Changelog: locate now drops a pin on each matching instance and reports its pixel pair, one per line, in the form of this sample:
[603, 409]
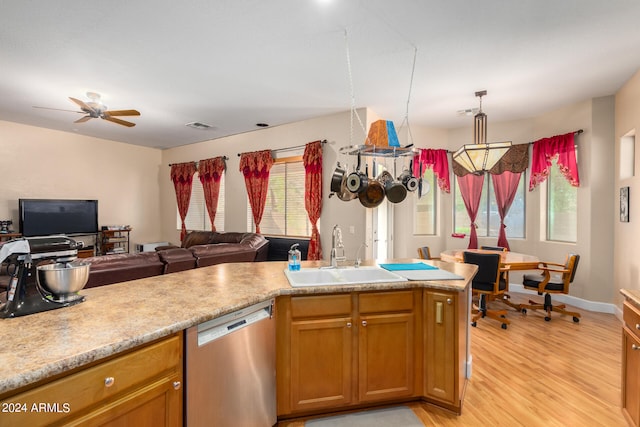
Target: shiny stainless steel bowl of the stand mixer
[63, 278]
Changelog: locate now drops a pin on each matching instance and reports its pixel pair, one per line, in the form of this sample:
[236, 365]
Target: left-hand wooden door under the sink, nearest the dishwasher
[321, 360]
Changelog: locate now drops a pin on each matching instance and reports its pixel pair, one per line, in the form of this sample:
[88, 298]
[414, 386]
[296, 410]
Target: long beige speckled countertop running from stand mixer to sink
[121, 316]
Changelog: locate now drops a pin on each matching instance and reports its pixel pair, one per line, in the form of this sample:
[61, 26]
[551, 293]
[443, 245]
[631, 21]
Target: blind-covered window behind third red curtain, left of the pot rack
[284, 211]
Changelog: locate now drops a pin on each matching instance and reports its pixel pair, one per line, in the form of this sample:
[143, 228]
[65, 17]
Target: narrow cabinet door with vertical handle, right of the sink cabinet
[440, 346]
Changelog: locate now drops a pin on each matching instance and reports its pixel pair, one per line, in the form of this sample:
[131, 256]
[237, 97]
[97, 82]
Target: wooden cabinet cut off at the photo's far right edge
[631, 363]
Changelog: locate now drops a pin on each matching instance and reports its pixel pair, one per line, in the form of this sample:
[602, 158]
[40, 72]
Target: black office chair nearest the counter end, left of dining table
[488, 284]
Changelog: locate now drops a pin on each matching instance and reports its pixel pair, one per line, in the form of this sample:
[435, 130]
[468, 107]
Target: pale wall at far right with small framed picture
[626, 260]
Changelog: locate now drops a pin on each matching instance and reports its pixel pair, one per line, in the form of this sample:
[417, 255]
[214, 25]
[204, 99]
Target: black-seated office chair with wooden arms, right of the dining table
[545, 284]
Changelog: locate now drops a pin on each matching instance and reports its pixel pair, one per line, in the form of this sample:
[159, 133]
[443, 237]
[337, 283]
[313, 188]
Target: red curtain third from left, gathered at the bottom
[255, 167]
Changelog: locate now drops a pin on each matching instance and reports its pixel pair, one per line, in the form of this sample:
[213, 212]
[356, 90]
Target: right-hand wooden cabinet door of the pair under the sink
[386, 346]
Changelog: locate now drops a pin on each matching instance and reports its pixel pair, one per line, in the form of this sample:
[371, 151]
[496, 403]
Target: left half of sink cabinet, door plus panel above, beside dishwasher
[314, 352]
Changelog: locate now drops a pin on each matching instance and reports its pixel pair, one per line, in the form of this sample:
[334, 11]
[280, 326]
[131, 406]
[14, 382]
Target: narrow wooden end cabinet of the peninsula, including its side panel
[445, 347]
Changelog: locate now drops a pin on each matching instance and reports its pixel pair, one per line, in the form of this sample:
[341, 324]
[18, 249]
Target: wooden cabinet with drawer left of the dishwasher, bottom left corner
[141, 387]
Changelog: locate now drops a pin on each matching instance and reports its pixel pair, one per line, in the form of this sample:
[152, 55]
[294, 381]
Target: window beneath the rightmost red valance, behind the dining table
[562, 208]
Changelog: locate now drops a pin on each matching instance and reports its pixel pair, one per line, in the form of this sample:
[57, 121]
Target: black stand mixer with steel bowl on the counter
[44, 274]
